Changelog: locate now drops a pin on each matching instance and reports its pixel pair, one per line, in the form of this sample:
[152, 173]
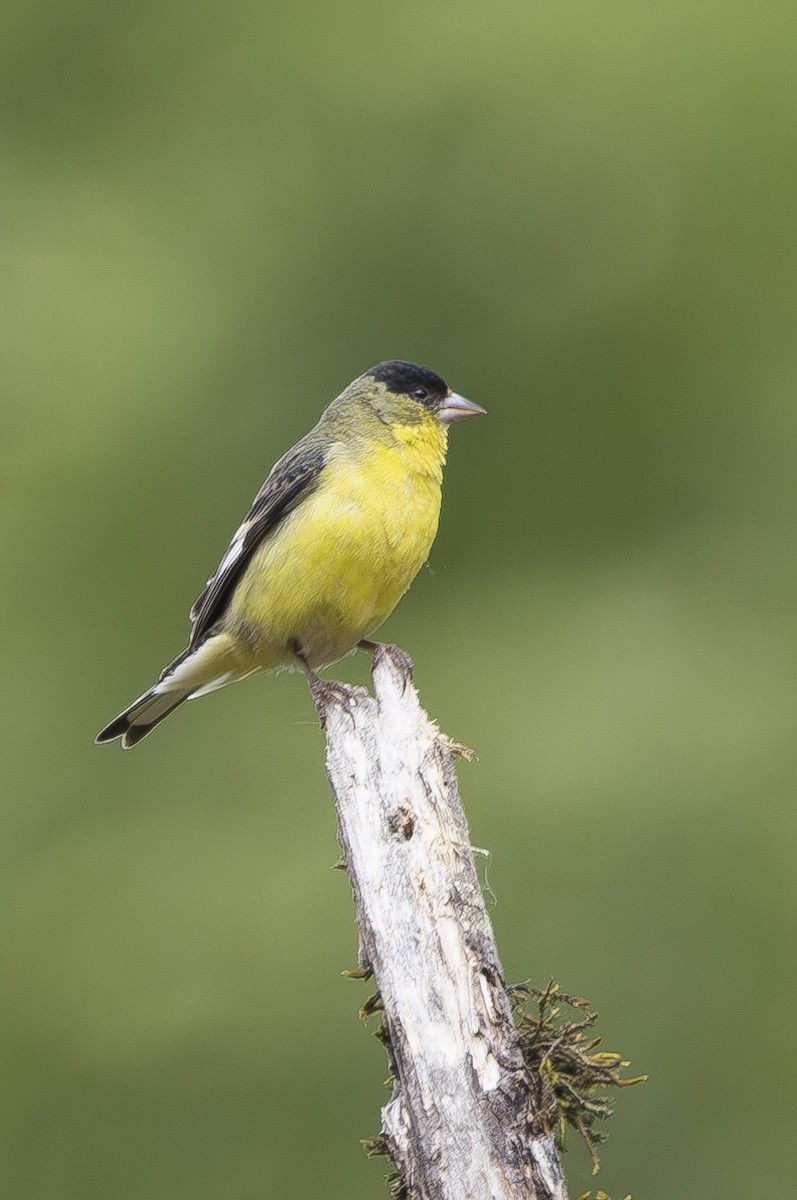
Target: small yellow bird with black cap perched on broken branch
[331, 544]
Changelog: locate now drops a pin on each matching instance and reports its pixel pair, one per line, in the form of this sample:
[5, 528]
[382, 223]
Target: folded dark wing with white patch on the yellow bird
[290, 482]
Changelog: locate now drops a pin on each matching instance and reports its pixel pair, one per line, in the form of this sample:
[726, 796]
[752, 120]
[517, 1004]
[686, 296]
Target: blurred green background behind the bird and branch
[214, 218]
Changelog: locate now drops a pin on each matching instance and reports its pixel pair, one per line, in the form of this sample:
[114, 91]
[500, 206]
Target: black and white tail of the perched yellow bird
[195, 673]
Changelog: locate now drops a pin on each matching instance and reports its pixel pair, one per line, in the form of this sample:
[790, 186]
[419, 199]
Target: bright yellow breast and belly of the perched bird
[338, 566]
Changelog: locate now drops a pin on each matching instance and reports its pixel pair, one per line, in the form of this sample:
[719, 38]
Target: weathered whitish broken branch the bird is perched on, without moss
[460, 1124]
